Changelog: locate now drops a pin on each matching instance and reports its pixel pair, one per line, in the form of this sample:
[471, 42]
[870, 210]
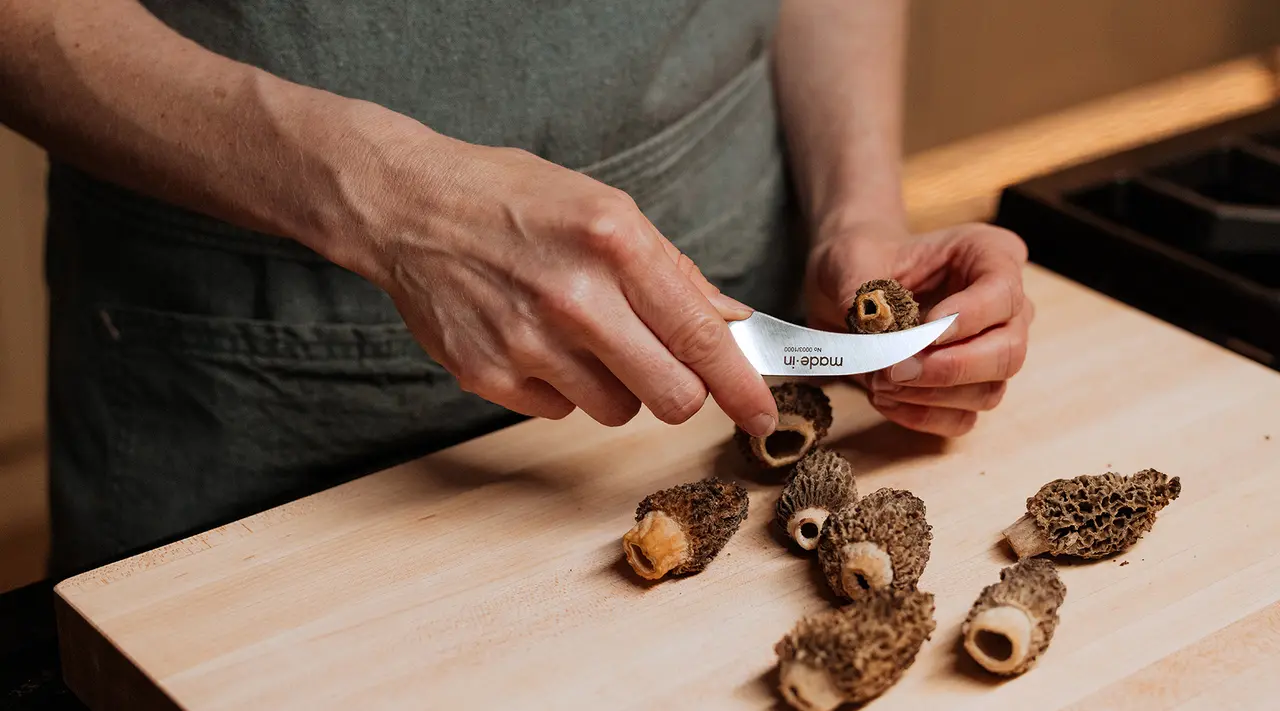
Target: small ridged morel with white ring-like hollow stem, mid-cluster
[820, 485]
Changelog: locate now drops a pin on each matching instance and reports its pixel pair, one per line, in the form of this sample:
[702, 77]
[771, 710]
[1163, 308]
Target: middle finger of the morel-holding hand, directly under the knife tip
[996, 355]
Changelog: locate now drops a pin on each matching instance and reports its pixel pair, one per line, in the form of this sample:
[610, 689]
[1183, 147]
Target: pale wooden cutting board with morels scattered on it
[491, 576]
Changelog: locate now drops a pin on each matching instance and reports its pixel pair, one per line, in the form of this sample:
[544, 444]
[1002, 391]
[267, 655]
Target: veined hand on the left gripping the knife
[543, 290]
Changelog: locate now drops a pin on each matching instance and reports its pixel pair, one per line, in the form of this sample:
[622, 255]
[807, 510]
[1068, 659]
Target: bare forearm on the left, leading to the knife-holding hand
[108, 88]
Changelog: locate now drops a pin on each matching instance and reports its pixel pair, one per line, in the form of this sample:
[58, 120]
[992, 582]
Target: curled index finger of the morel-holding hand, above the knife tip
[993, 297]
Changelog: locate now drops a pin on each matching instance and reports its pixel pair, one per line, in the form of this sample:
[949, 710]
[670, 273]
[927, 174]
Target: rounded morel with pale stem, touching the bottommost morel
[881, 541]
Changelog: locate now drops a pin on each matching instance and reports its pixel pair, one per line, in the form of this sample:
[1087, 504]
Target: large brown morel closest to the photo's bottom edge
[854, 654]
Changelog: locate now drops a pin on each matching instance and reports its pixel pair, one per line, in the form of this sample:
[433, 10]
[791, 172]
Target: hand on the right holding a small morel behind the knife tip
[972, 270]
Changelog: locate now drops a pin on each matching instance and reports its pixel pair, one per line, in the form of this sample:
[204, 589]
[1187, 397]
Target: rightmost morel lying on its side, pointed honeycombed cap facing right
[1091, 517]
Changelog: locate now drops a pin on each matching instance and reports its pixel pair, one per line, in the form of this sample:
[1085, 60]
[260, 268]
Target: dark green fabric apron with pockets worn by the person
[200, 373]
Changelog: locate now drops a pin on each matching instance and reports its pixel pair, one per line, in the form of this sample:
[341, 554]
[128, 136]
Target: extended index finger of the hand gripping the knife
[696, 334]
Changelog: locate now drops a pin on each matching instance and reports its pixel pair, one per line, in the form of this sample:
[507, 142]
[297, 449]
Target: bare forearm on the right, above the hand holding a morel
[840, 67]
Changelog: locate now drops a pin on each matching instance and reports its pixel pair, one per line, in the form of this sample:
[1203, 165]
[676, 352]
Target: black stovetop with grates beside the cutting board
[1187, 230]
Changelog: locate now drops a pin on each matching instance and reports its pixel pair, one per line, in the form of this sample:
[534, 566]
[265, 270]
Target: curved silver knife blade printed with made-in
[778, 348]
